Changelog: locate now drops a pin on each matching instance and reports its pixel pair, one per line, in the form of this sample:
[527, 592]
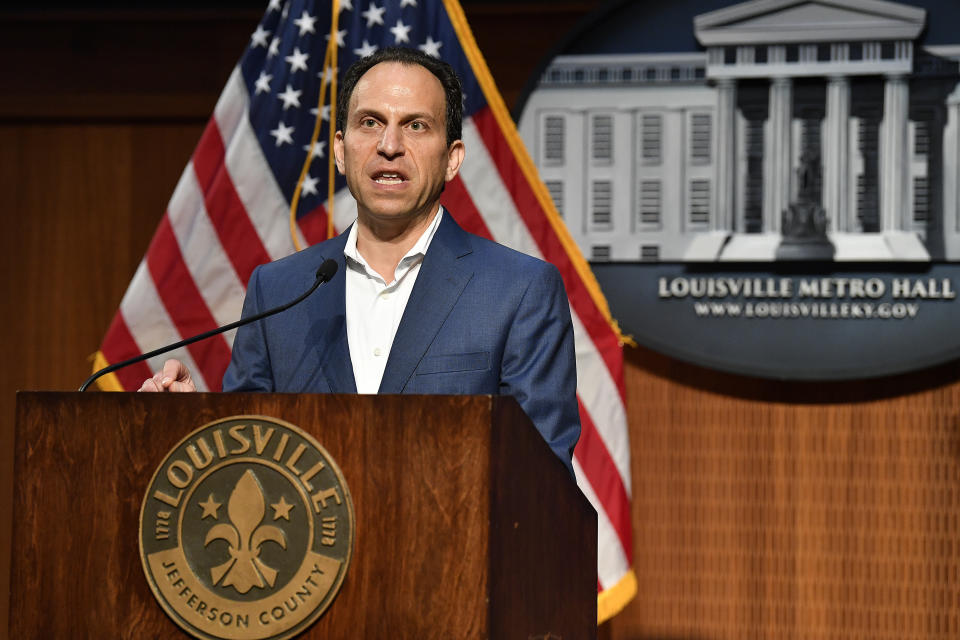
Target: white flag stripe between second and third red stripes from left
[205, 258]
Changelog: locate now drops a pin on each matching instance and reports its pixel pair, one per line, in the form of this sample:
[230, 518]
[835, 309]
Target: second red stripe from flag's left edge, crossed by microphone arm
[185, 304]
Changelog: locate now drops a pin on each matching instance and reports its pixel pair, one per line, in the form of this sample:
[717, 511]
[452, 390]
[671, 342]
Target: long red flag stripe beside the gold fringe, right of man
[551, 249]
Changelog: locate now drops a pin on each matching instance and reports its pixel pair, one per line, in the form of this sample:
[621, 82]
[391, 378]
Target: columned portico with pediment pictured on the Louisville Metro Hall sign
[788, 41]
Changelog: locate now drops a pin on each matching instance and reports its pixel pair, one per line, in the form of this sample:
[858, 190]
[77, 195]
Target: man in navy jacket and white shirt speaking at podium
[422, 307]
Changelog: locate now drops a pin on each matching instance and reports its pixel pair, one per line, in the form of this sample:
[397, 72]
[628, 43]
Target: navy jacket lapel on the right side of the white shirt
[439, 284]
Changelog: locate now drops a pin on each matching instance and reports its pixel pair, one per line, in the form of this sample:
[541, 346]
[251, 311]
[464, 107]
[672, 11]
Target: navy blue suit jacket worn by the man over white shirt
[481, 319]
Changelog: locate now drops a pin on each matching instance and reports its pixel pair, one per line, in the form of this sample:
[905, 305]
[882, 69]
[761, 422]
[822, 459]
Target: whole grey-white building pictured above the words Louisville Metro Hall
[806, 130]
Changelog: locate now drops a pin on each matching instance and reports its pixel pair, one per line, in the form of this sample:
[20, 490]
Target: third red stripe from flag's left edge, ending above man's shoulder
[229, 217]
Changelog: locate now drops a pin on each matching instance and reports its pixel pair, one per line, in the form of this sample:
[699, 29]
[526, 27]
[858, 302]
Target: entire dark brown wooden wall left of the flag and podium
[97, 118]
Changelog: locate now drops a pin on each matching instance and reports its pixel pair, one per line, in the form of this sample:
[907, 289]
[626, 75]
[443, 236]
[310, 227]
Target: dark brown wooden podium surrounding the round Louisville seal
[467, 526]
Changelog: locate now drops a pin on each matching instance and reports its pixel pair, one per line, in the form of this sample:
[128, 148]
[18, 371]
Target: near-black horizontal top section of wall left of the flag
[95, 64]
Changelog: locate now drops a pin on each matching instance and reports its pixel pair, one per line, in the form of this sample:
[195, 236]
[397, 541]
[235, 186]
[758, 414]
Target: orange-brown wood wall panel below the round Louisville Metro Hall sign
[766, 509]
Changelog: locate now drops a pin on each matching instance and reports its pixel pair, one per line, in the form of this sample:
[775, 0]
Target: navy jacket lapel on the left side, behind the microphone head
[328, 329]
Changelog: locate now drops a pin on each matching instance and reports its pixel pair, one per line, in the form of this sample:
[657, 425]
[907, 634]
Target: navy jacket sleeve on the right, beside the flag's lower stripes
[539, 362]
